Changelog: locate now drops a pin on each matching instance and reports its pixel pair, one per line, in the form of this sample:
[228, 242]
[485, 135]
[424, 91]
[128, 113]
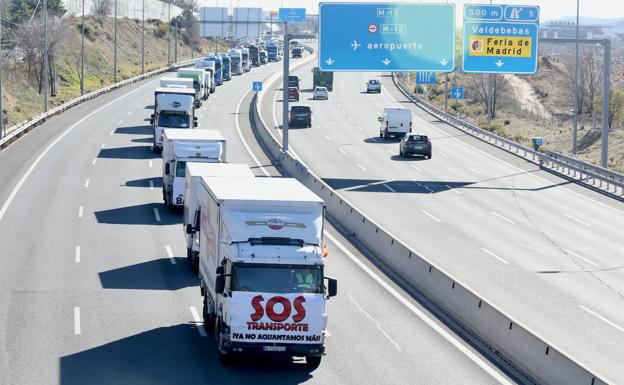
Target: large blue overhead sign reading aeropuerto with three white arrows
[386, 37]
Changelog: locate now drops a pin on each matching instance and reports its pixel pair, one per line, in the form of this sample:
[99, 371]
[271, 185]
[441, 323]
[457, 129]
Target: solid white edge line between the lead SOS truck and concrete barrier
[427, 320]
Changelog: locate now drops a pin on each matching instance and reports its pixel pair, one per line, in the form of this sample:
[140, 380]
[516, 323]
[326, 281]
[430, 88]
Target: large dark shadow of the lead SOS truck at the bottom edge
[171, 355]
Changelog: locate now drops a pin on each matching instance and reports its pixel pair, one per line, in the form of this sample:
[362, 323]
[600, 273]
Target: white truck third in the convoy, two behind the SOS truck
[181, 146]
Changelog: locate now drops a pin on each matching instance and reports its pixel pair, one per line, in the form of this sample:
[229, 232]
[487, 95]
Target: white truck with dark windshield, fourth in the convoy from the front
[173, 108]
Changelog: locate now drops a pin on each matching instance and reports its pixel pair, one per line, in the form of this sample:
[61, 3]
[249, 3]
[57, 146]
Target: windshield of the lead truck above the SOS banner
[280, 279]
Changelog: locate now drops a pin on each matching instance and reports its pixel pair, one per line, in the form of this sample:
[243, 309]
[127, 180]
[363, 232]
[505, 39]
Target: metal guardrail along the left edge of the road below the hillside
[16, 133]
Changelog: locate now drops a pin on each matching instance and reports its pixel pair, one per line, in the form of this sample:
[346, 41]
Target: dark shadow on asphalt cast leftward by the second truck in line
[158, 274]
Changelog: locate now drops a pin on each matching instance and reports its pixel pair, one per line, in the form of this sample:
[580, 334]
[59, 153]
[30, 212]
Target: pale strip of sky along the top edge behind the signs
[550, 9]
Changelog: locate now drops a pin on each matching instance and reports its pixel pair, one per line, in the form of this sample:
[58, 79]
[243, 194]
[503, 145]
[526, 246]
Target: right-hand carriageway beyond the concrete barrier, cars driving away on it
[540, 248]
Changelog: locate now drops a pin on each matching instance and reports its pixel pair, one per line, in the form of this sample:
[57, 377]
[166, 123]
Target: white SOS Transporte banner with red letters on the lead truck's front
[296, 318]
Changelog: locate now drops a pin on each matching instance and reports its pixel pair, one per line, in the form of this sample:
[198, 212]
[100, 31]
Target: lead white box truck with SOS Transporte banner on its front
[261, 267]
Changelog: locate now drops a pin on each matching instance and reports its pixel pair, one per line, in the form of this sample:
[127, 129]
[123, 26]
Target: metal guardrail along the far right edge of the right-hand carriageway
[586, 174]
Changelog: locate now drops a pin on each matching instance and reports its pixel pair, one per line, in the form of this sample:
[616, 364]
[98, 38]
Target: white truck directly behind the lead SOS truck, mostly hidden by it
[192, 183]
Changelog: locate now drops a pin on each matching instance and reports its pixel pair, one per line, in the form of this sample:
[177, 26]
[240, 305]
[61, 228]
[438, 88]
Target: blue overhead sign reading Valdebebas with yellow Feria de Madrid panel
[500, 38]
